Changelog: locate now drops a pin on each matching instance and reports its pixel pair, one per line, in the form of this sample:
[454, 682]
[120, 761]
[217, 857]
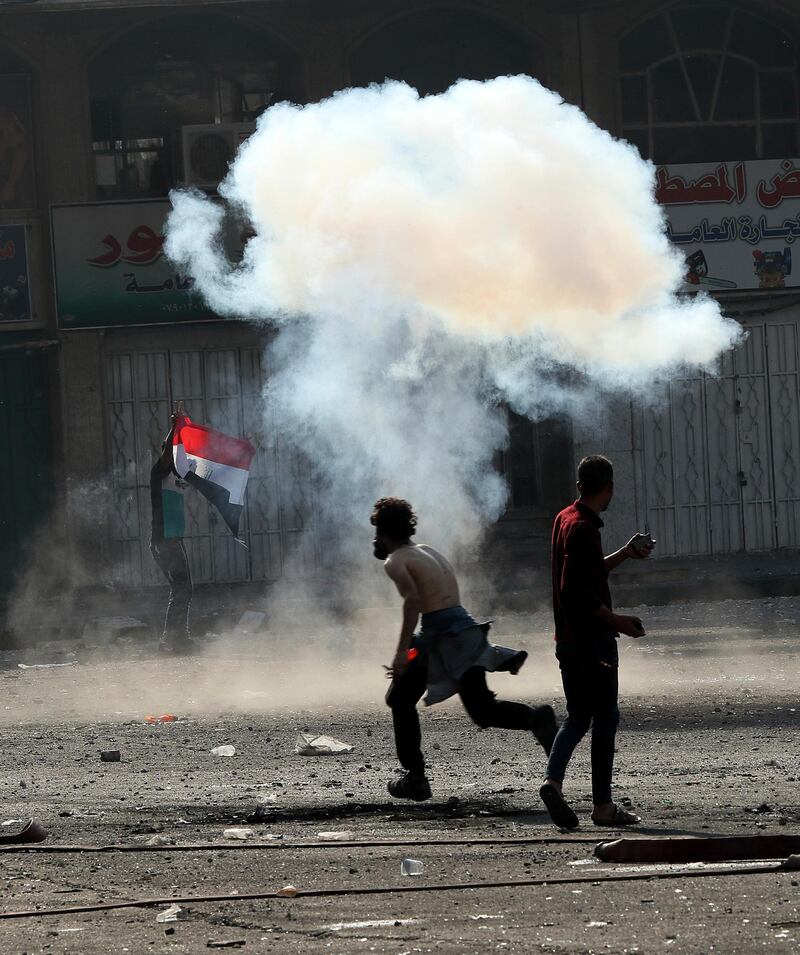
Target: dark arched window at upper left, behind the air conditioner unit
[178, 71]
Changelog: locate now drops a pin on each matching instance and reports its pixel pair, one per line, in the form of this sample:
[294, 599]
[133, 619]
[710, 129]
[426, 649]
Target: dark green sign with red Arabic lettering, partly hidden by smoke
[111, 269]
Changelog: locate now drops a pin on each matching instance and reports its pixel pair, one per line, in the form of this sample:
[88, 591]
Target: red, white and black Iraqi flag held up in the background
[216, 464]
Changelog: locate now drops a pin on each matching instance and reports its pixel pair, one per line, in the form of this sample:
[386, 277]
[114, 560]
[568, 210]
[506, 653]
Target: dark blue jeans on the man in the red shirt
[589, 675]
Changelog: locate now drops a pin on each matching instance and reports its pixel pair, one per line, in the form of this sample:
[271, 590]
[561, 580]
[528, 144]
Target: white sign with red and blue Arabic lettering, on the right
[736, 223]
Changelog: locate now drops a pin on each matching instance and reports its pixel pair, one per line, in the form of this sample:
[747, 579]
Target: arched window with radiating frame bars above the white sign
[709, 82]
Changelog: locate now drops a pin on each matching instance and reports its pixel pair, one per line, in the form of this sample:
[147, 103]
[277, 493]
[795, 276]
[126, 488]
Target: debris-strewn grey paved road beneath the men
[709, 744]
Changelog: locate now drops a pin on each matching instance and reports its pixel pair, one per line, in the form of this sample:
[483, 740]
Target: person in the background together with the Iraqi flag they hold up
[218, 466]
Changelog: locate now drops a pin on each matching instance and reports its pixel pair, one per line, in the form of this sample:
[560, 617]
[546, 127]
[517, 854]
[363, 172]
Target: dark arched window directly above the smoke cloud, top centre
[430, 51]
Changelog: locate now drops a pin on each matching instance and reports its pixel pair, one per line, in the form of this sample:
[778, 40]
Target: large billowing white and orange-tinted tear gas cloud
[429, 257]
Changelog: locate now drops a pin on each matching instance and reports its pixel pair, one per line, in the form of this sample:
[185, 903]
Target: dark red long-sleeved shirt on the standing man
[580, 578]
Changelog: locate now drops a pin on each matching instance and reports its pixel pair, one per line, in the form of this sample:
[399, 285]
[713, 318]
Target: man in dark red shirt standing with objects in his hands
[586, 643]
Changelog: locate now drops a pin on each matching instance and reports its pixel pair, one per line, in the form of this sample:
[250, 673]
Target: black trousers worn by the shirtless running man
[480, 703]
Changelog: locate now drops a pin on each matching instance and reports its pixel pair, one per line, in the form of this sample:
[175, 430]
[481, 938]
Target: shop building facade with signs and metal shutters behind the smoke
[107, 104]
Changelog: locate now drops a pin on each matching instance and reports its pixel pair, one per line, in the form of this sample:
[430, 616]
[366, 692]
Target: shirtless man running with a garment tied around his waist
[449, 655]
